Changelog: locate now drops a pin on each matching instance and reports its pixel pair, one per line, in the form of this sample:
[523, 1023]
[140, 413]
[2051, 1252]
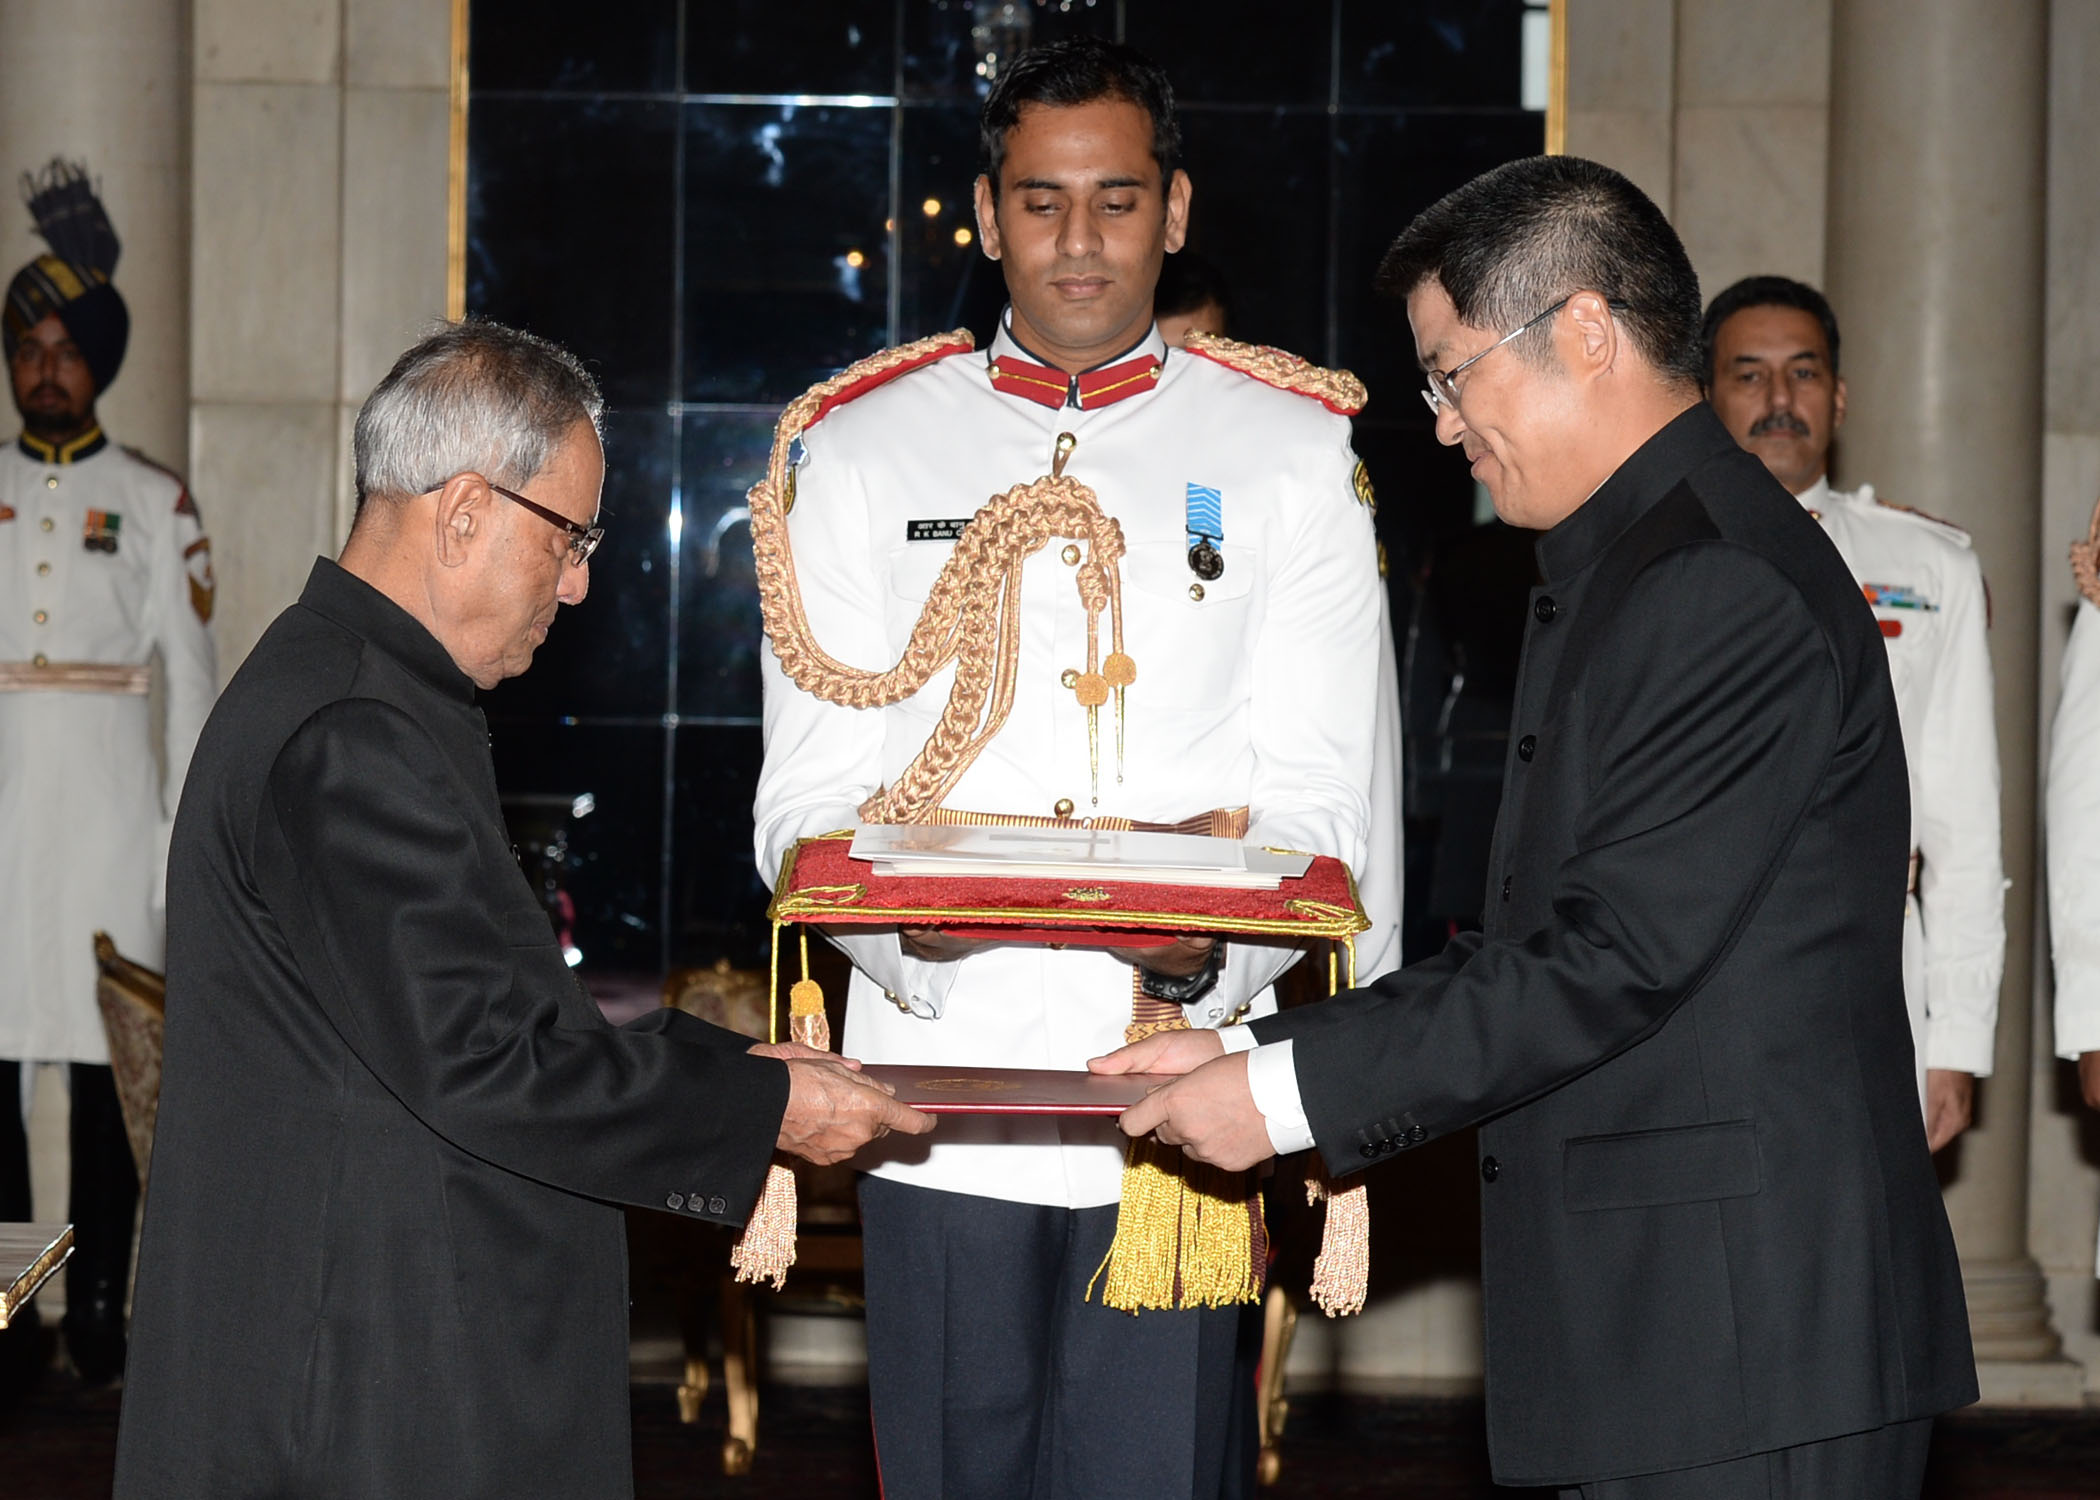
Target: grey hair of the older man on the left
[471, 398]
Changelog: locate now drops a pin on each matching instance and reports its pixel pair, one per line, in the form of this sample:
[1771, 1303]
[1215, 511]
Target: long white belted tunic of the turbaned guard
[104, 564]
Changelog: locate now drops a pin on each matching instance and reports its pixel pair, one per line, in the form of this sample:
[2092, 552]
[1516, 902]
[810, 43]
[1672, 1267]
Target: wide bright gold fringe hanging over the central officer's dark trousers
[1183, 1236]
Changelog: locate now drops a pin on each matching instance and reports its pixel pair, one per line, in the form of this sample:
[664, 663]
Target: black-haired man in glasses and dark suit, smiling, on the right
[1715, 1257]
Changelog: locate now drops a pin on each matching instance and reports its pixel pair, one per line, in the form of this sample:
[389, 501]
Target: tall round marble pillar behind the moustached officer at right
[1935, 255]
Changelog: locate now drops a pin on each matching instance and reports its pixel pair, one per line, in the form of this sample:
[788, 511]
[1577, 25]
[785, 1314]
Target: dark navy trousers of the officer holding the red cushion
[994, 1379]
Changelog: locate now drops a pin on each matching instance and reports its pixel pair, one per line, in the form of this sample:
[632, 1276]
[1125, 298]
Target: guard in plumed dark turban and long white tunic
[104, 568]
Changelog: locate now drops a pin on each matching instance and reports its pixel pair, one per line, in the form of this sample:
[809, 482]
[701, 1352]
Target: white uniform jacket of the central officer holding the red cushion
[1261, 690]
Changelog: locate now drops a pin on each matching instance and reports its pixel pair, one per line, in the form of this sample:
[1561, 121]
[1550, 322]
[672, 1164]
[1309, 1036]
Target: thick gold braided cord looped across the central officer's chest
[973, 614]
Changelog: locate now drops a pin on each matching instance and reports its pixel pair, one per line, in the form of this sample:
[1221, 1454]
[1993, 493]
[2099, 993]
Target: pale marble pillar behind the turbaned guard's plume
[108, 83]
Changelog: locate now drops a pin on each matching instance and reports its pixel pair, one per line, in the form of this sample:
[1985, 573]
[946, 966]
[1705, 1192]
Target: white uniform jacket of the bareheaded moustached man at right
[1927, 591]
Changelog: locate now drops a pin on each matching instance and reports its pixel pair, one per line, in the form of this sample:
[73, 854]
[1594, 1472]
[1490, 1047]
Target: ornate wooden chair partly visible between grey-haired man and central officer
[828, 1251]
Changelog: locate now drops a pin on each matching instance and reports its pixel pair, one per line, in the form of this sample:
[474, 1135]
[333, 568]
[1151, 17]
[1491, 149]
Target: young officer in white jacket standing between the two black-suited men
[1259, 686]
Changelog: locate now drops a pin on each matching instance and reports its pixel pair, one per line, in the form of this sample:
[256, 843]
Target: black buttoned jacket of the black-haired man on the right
[1710, 1226]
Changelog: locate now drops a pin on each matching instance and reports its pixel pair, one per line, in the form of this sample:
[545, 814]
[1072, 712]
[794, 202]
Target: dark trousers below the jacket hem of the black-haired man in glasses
[1887, 1463]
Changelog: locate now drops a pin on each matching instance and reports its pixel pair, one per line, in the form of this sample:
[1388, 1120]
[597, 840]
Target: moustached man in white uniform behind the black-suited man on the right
[1773, 379]
